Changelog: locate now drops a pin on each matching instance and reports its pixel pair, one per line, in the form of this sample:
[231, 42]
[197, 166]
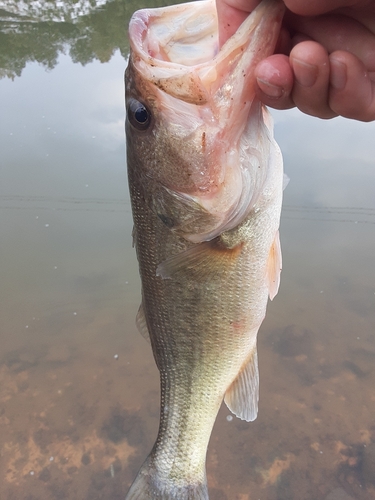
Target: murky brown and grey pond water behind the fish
[78, 385]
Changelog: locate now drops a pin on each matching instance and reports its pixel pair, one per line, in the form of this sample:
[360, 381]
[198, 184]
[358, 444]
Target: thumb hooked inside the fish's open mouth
[231, 13]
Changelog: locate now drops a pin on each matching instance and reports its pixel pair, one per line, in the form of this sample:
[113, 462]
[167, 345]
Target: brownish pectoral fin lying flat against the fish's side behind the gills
[203, 258]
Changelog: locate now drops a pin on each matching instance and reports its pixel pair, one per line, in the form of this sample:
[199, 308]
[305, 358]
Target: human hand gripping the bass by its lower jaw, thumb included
[325, 63]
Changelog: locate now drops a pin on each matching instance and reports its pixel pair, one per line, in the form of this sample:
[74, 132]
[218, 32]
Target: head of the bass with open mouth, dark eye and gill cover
[197, 141]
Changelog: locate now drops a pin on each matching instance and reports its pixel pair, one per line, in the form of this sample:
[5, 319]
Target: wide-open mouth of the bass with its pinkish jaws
[178, 49]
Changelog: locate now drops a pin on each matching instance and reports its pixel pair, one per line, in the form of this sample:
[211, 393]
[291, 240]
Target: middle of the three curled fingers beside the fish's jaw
[311, 68]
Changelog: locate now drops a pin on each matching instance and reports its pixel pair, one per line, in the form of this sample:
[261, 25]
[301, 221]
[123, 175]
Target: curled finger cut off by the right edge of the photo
[352, 90]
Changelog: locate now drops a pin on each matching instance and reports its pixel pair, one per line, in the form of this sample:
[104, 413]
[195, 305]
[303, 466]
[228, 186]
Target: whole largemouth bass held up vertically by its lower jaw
[206, 179]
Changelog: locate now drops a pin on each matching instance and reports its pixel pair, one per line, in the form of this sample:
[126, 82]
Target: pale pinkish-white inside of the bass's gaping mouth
[184, 34]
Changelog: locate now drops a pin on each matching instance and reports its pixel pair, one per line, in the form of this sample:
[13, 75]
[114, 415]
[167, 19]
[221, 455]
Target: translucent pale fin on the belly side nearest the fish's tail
[243, 394]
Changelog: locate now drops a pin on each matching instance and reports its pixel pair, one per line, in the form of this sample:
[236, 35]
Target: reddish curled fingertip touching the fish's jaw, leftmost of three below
[275, 82]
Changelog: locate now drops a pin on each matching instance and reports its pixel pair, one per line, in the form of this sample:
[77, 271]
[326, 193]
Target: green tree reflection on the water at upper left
[31, 36]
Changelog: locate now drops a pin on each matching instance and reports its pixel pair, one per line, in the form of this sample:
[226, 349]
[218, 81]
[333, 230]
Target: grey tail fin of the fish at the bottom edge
[149, 486]
